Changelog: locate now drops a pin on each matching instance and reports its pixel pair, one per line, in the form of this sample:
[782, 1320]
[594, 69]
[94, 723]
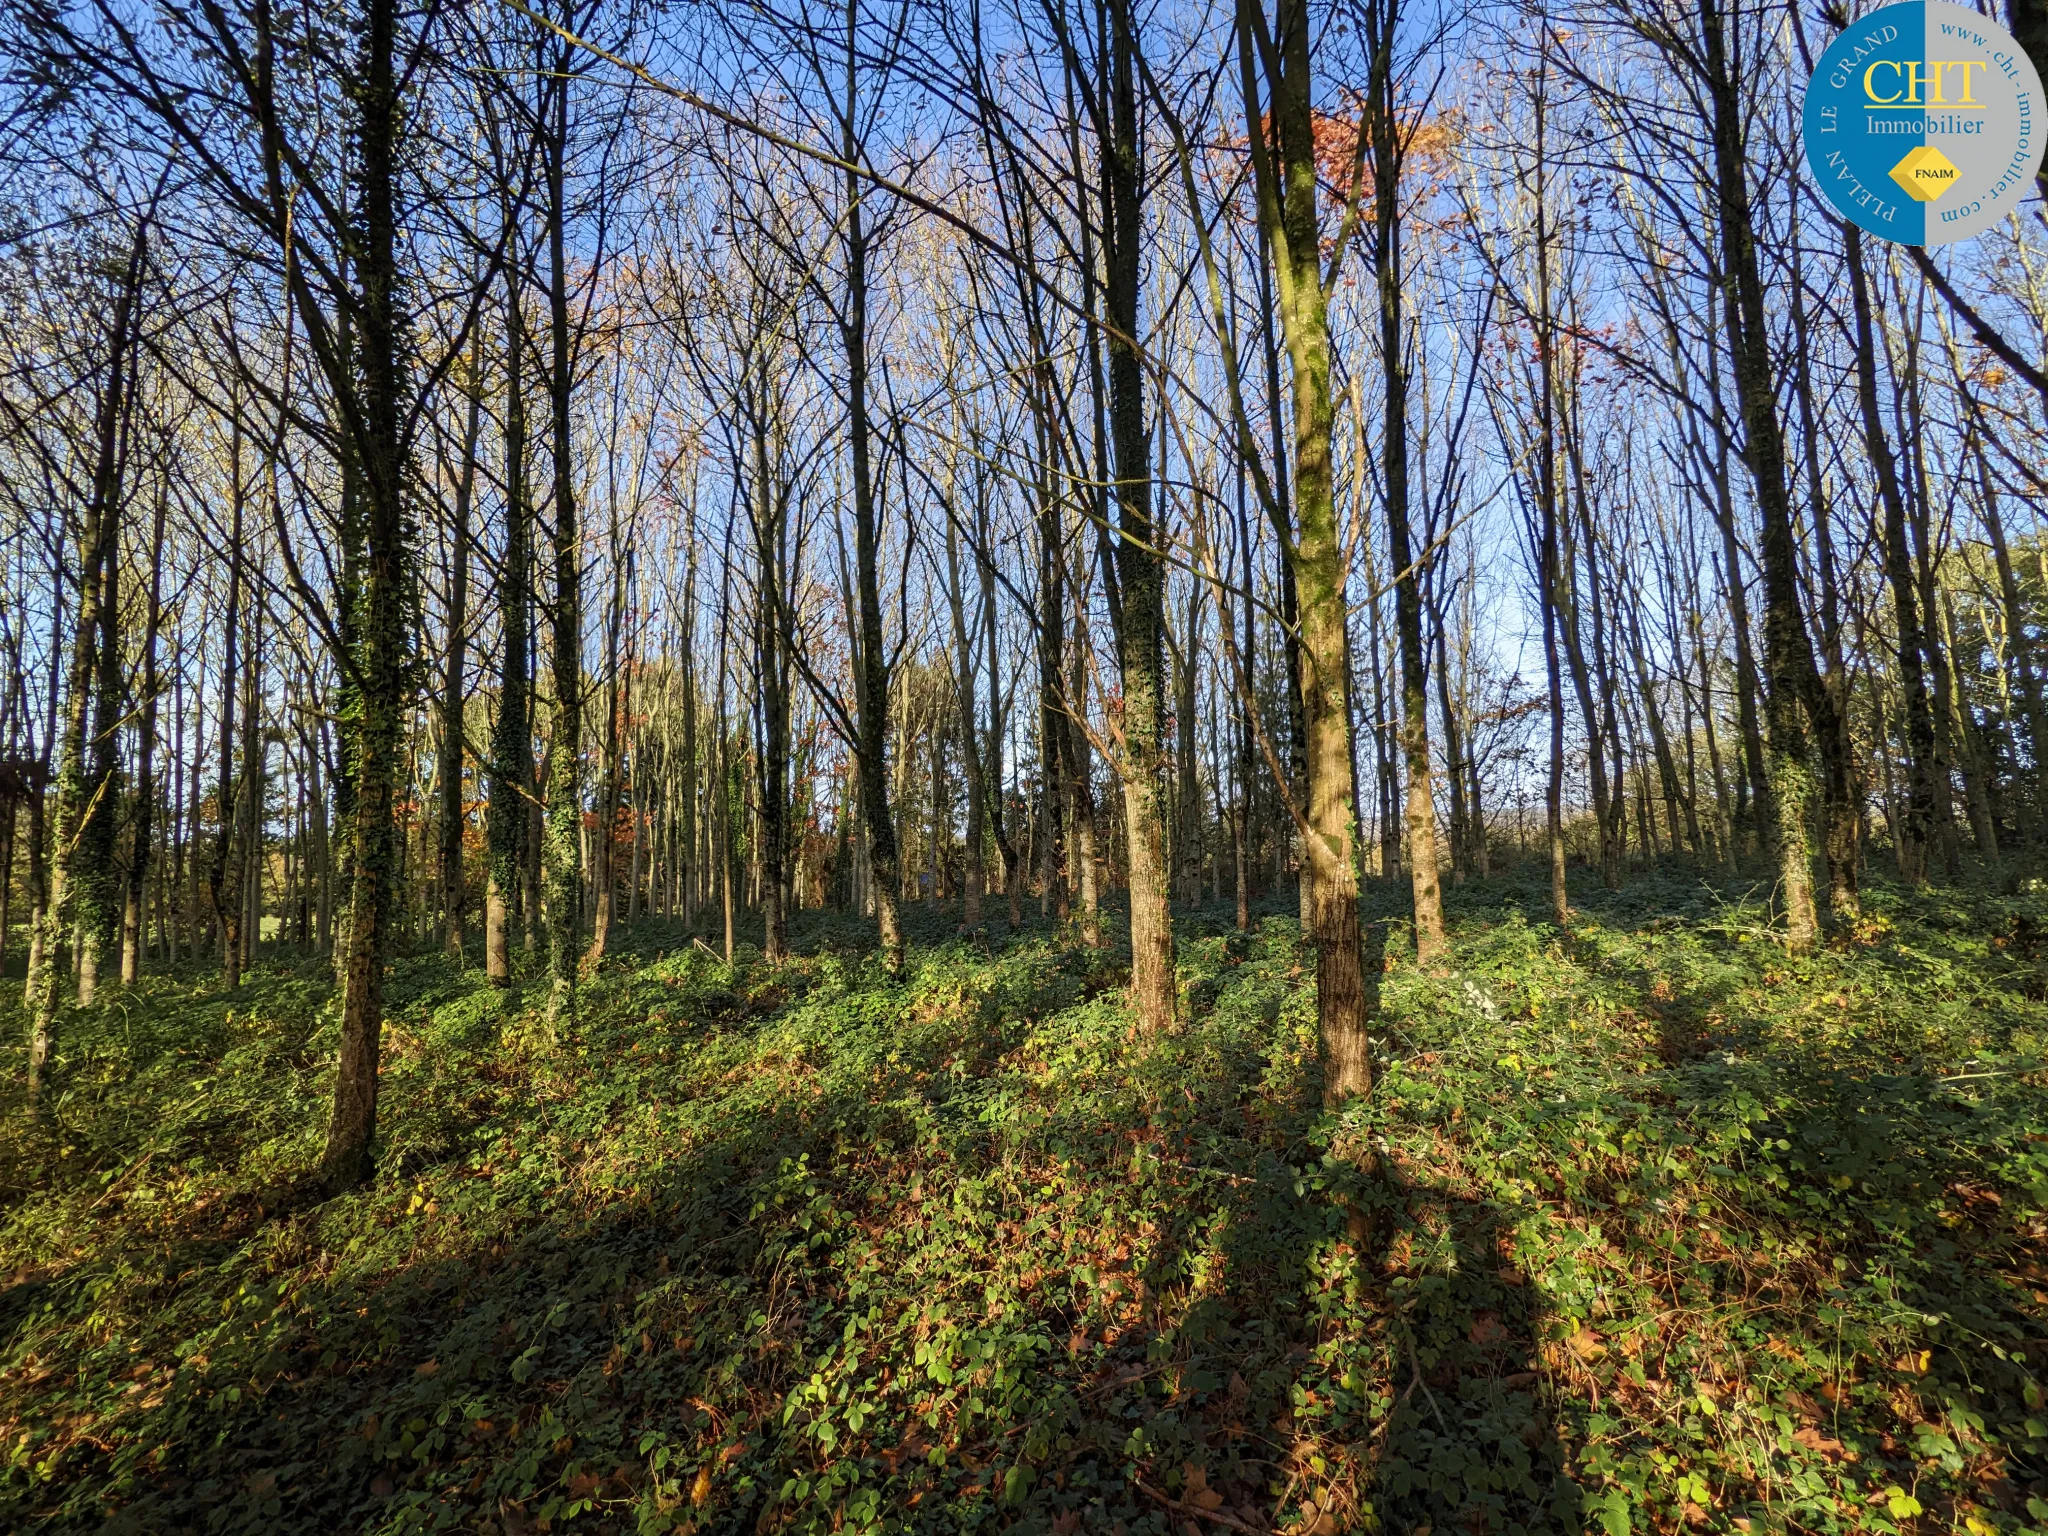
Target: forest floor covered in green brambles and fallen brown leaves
[1676, 1234]
